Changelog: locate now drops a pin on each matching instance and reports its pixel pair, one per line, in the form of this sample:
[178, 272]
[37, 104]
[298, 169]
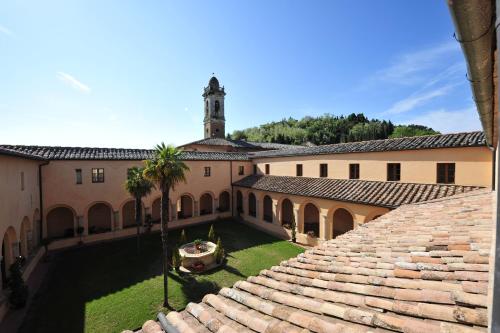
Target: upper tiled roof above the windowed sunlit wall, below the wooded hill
[471, 139]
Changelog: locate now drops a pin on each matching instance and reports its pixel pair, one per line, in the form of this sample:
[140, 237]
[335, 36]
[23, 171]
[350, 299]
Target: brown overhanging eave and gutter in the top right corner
[474, 27]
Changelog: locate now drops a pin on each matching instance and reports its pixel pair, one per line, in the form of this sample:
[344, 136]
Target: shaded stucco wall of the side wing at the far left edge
[19, 209]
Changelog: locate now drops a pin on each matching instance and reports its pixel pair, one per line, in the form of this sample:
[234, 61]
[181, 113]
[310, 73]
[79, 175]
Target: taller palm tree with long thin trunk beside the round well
[166, 170]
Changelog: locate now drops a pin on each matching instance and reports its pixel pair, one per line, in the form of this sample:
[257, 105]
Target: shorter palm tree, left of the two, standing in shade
[138, 186]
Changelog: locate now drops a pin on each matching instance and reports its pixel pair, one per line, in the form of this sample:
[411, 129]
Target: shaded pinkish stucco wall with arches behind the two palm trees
[60, 188]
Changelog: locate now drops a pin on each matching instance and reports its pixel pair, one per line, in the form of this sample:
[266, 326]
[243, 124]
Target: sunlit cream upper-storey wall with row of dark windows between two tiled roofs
[473, 165]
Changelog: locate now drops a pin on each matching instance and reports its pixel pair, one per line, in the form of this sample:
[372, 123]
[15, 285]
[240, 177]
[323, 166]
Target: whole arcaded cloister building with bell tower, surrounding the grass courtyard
[55, 192]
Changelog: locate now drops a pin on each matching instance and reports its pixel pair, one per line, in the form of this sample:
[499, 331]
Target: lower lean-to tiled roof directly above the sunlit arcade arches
[385, 194]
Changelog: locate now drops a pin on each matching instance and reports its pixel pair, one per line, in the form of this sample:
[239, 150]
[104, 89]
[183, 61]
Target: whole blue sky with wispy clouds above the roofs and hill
[122, 73]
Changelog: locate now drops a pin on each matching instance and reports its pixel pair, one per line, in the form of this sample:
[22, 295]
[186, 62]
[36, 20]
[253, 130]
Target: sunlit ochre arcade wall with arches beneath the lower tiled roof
[360, 214]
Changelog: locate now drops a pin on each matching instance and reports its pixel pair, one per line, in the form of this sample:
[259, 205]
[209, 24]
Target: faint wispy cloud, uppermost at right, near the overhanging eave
[410, 68]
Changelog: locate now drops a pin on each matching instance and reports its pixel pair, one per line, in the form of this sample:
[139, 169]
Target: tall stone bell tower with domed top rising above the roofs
[214, 121]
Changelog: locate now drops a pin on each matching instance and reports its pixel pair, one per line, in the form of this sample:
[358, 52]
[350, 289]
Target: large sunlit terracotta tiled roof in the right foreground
[421, 268]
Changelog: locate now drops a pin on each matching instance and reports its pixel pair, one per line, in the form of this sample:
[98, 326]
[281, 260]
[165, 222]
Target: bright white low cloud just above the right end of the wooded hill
[449, 121]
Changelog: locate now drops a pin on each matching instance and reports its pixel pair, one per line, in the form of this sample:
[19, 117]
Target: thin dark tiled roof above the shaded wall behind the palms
[85, 153]
